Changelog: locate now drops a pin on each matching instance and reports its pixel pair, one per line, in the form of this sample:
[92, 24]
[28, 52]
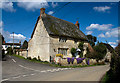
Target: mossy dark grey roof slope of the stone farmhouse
[58, 27]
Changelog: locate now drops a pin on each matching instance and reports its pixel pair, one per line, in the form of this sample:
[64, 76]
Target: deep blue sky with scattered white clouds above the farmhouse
[99, 19]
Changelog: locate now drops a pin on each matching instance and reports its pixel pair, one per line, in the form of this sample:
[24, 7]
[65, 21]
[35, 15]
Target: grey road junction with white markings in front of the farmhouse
[15, 69]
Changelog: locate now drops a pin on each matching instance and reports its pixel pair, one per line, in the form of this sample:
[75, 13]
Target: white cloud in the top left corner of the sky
[7, 6]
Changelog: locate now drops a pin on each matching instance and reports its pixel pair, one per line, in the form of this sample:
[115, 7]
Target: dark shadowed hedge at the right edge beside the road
[114, 73]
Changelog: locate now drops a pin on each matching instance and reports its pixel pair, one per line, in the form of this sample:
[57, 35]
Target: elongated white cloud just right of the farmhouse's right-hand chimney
[99, 27]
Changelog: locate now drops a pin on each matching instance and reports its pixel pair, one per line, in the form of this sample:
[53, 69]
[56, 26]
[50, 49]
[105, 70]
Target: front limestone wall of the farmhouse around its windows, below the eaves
[55, 44]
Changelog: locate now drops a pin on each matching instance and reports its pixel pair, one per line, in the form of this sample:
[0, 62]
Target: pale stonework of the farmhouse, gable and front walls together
[43, 45]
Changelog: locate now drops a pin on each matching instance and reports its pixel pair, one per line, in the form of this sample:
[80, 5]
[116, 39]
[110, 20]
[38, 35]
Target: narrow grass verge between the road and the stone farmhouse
[54, 65]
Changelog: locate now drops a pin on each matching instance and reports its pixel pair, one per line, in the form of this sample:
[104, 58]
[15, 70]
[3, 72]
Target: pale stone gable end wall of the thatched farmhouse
[38, 46]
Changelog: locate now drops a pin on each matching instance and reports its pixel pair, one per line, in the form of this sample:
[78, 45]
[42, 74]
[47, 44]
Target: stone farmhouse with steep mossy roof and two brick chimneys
[53, 36]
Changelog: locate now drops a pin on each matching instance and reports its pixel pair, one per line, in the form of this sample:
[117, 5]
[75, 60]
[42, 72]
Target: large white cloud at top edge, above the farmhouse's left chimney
[32, 6]
